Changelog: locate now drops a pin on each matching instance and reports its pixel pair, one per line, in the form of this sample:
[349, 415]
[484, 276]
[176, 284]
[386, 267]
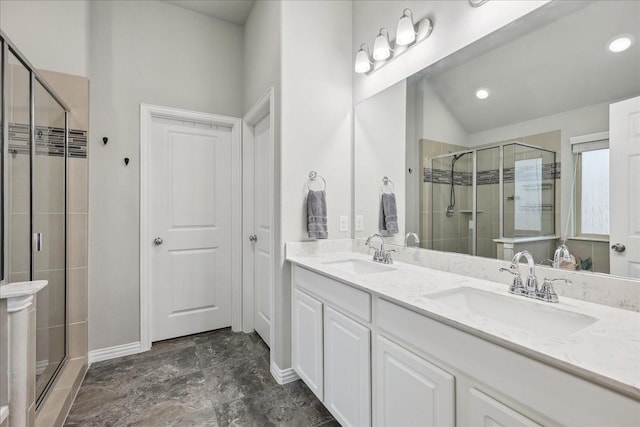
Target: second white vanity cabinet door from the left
[347, 375]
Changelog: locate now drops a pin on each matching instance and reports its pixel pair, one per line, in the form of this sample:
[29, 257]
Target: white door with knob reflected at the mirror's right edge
[624, 146]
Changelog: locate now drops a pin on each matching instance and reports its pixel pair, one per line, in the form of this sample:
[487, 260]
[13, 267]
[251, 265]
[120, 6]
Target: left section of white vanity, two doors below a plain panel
[331, 342]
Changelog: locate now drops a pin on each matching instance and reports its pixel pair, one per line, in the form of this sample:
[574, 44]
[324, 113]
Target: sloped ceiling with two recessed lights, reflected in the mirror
[558, 67]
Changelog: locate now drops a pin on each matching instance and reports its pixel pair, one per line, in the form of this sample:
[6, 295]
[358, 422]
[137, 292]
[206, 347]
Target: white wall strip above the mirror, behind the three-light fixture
[456, 24]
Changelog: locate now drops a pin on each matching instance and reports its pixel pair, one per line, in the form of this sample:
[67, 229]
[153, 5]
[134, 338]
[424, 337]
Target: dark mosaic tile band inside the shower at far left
[49, 141]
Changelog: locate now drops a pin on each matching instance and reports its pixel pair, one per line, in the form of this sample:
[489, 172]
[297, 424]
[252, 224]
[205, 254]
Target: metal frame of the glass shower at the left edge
[9, 48]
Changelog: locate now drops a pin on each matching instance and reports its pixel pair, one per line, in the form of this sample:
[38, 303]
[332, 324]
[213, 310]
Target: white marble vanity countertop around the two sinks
[606, 352]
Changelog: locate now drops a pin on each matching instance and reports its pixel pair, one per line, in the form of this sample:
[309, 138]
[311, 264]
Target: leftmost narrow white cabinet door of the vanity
[307, 340]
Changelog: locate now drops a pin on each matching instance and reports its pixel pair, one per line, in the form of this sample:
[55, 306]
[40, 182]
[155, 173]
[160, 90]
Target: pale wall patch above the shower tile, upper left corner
[53, 35]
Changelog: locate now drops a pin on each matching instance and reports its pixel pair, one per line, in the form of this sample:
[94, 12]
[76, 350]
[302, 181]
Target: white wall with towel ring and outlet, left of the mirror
[316, 130]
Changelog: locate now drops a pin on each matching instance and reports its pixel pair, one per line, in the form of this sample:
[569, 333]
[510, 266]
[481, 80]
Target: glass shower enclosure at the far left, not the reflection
[34, 155]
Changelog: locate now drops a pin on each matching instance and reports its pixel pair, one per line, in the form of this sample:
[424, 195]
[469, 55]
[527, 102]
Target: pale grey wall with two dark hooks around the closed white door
[142, 52]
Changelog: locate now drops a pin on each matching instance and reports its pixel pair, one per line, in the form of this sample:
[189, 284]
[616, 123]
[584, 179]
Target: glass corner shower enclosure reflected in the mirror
[482, 195]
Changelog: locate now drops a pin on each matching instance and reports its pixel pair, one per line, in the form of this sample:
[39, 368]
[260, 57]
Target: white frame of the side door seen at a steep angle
[264, 106]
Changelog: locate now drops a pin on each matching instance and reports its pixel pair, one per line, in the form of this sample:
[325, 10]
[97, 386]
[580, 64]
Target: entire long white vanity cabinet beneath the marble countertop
[374, 361]
